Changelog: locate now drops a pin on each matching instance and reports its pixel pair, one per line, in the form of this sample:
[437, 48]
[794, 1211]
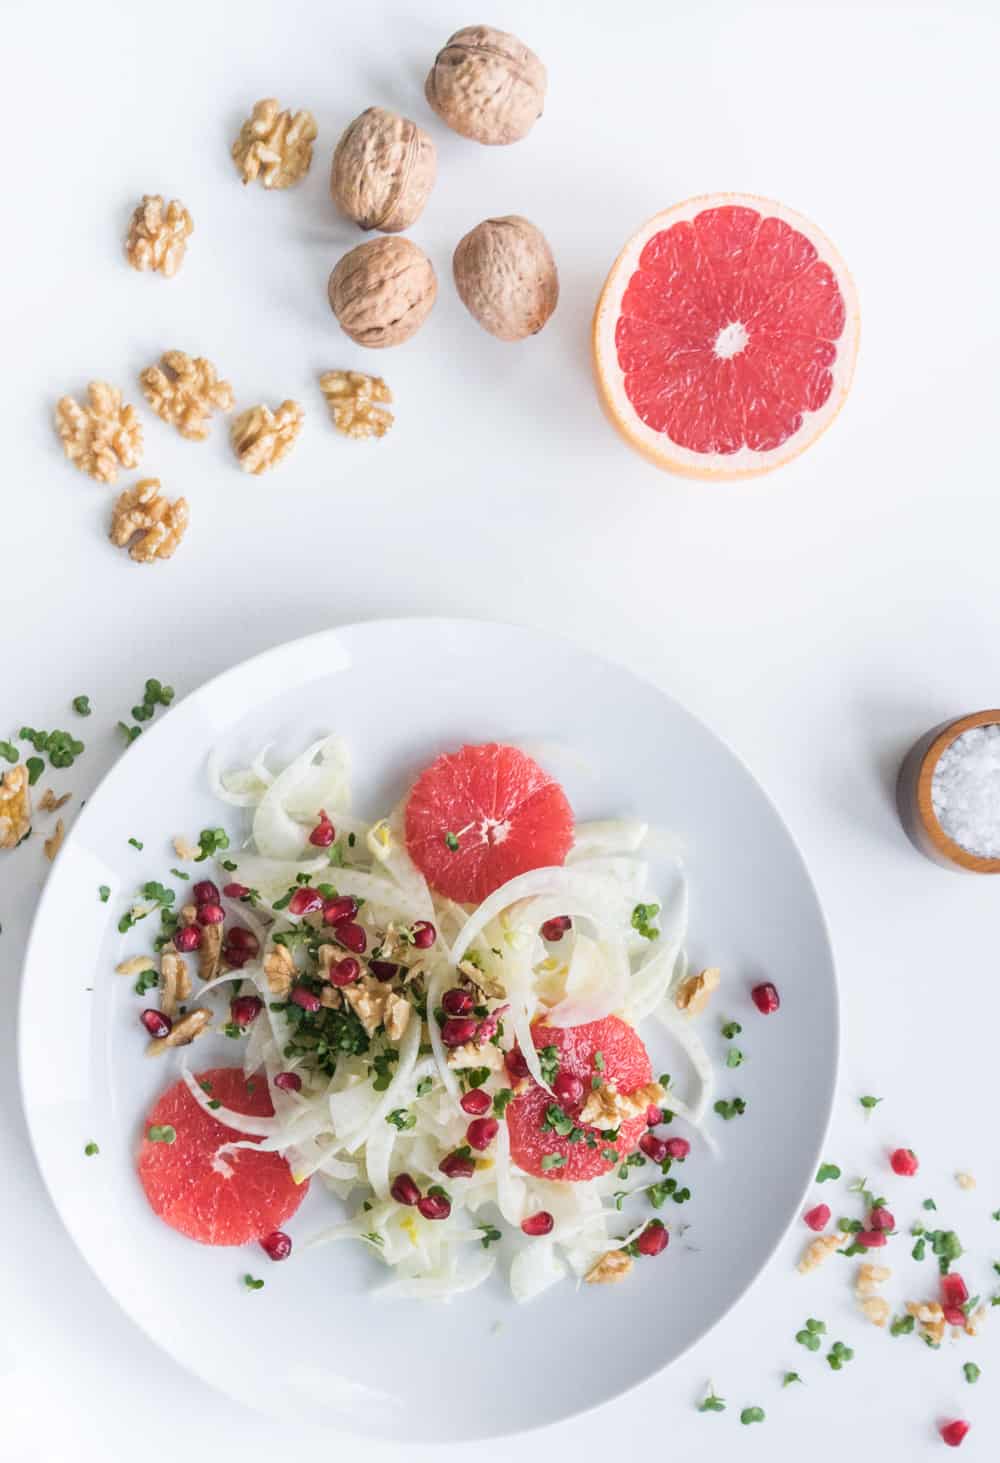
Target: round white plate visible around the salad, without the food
[317, 1344]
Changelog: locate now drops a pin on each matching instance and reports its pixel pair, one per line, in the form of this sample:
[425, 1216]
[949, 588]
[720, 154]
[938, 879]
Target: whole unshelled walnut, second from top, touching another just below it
[384, 170]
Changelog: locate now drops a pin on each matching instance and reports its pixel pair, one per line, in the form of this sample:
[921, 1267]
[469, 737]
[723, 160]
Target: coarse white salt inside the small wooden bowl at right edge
[966, 791]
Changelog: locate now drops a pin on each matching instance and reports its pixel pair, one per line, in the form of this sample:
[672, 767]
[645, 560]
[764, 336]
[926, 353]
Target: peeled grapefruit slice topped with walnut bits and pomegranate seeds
[626, 1063]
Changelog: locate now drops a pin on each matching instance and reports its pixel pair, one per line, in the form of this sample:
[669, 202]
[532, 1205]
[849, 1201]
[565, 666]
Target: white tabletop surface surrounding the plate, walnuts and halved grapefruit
[819, 621]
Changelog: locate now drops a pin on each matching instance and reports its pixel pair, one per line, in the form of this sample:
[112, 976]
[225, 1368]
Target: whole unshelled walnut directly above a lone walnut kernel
[382, 292]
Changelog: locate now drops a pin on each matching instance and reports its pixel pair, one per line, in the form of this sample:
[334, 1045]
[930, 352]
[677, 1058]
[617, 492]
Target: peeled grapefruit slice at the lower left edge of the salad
[229, 1202]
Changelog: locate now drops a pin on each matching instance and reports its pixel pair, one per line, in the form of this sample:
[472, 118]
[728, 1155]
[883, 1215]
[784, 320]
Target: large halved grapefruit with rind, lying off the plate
[726, 336]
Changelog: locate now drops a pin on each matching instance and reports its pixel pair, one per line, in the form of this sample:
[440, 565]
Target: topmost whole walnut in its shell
[488, 86]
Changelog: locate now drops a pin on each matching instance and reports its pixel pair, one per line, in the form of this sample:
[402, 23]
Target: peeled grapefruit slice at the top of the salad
[483, 816]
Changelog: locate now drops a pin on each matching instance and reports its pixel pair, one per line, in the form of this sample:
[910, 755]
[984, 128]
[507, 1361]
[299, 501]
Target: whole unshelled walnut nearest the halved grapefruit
[507, 277]
